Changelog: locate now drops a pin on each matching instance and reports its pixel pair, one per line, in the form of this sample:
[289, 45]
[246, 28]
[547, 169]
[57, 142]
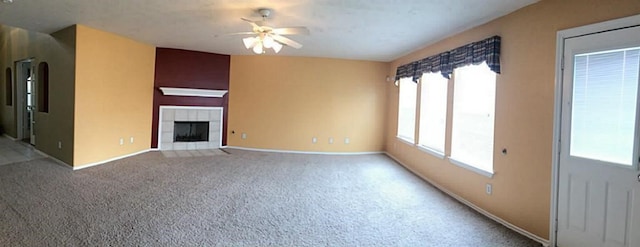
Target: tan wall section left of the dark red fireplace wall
[114, 90]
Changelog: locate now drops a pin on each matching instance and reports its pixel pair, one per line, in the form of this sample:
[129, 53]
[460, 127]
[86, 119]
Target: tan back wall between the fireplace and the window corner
[282, 102]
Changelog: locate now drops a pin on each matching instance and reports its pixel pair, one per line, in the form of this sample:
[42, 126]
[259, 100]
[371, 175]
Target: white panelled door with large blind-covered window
[599, 184]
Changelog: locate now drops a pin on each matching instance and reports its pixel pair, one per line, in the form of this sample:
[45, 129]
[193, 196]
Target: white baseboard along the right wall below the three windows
[513, 227]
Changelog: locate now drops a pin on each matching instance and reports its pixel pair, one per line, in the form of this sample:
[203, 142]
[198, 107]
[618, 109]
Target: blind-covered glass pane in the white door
[605, 90]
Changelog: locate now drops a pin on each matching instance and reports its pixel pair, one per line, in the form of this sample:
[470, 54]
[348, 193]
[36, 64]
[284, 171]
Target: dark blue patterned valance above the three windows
[487, 50]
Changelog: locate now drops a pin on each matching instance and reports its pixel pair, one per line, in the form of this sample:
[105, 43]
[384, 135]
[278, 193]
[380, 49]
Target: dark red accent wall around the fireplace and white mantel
[189, 69]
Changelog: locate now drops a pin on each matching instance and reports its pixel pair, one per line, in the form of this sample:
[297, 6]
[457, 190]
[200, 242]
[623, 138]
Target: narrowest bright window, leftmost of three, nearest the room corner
[407, 109]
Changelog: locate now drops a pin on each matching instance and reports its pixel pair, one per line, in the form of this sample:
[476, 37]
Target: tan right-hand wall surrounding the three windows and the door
[524, 110]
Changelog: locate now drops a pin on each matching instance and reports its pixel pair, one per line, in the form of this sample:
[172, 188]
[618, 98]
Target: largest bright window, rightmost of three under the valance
[473, 117]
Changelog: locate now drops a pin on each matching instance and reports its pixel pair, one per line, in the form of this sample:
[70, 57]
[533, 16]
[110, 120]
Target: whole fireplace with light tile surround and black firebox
[190, 128]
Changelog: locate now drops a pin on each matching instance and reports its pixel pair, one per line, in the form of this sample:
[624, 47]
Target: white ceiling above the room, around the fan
[378, 30]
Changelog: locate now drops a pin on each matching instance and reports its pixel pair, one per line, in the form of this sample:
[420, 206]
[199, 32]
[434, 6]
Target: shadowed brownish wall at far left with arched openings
[58, 50]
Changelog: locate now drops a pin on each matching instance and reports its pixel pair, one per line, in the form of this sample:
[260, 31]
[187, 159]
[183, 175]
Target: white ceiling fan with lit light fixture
[269, 37]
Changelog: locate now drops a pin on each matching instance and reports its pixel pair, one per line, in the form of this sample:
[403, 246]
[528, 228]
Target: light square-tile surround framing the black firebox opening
[170, 114]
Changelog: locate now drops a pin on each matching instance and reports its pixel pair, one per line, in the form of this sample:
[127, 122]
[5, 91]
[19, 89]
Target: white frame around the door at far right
[562, 35]
